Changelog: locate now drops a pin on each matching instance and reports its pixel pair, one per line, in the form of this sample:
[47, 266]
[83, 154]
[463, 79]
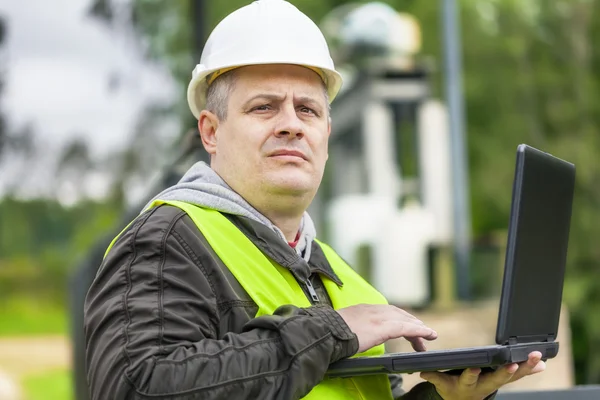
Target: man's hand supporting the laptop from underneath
[472, 384]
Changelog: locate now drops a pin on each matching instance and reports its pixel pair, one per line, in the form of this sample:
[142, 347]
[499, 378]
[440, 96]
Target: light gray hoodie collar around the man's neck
[202, 186]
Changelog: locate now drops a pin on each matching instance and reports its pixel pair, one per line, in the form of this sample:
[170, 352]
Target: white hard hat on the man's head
[263, 32]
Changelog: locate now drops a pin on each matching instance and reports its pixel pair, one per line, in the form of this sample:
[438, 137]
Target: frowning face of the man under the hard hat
[274, 139]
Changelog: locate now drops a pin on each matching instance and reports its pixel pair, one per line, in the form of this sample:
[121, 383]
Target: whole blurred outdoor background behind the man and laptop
[437, 96]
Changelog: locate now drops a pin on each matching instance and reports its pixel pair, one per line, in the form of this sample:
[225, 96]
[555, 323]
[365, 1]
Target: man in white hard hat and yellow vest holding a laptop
[219, 288]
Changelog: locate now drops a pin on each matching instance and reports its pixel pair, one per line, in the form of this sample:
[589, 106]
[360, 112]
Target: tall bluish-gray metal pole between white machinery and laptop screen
[461, 203]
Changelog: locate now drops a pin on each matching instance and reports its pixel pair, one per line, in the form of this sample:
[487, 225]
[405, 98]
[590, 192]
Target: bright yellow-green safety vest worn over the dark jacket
[271, 285]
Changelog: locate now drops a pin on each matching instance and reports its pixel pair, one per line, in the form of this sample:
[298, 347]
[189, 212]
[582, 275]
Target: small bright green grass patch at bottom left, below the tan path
[52, 385]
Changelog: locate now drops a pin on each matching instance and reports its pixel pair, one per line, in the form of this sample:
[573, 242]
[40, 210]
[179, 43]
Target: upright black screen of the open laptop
[537, 248]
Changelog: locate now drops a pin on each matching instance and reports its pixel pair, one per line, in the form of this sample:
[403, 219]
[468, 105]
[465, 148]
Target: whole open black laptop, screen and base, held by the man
[532, 286]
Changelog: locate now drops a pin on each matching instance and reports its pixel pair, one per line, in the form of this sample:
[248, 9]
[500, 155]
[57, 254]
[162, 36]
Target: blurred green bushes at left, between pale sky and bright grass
[40, 243]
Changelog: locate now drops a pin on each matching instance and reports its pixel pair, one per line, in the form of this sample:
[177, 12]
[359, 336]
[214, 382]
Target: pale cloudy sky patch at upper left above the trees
[57, 64]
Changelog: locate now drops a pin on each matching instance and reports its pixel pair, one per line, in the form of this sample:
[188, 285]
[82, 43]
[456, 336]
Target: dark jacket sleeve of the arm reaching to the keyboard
[152, 330]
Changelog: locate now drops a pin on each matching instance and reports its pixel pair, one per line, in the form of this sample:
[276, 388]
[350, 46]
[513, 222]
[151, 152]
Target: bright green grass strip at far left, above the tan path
[25, 316]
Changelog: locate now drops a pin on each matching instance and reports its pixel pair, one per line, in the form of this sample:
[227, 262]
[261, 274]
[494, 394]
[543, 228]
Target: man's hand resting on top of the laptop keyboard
[375, 324]
